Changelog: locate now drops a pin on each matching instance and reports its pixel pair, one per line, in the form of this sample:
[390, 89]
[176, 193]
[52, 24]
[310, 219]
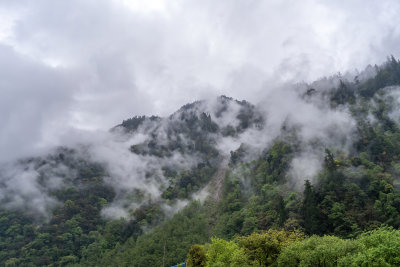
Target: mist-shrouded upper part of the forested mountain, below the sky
[164, 163]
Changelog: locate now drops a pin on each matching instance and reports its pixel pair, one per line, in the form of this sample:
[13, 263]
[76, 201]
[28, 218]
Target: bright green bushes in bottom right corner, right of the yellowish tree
[379, 247]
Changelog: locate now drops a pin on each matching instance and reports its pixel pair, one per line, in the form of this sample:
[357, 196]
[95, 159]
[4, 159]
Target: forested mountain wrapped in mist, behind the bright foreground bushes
[319, 158]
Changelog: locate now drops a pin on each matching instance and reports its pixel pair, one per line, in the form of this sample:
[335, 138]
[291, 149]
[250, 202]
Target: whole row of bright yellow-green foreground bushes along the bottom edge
[380, 247]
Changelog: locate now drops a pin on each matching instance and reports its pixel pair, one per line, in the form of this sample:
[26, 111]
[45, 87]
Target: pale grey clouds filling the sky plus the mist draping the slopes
[71, 71]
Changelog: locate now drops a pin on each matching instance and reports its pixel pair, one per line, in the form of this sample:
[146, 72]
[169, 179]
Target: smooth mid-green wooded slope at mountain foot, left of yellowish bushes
[178, 234]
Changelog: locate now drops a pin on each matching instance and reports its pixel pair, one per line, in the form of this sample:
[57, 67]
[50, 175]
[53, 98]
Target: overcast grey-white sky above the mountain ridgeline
[88, 64]
